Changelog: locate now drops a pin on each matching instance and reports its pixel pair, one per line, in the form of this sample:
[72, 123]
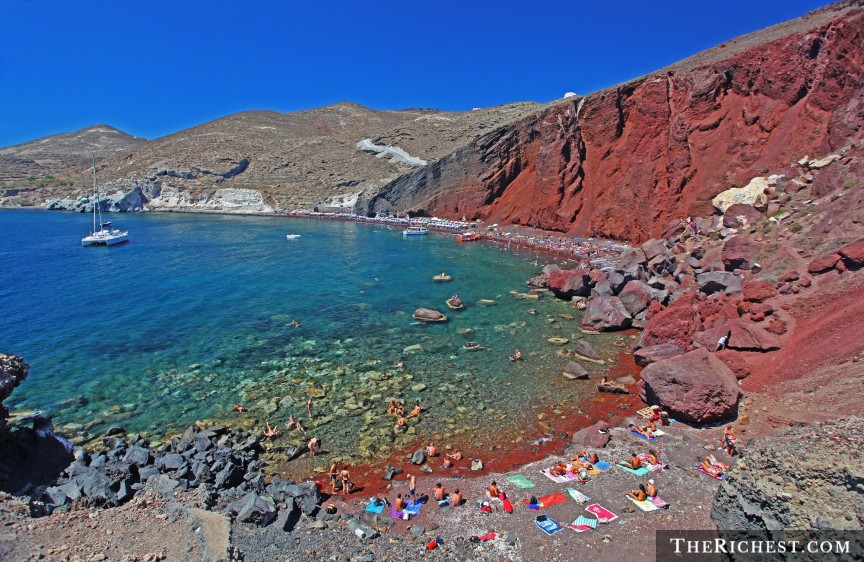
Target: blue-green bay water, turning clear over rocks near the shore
[194, 315]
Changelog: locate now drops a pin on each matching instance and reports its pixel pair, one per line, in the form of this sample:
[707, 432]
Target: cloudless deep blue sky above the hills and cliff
[153, 67]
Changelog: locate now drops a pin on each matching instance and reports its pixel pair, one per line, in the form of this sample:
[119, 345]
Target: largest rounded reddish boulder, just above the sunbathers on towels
[695, 387]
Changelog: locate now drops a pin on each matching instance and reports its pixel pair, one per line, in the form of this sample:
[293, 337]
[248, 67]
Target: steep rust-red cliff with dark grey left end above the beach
[624, 161]
